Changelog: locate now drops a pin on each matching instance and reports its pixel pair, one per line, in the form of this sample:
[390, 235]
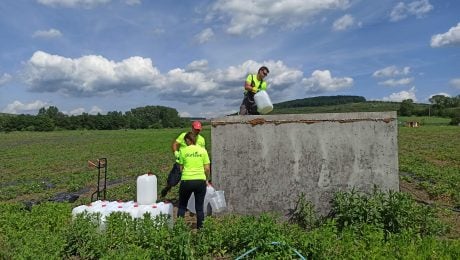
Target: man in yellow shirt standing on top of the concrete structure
[253, 84]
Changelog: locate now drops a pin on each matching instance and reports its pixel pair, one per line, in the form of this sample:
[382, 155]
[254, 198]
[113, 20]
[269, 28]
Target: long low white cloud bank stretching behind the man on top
[194, 84]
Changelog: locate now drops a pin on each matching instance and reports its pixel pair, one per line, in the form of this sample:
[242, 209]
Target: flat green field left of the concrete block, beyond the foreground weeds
[37, 165]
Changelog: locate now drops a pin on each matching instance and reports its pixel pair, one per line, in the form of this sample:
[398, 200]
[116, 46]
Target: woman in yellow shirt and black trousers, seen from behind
[194, 164]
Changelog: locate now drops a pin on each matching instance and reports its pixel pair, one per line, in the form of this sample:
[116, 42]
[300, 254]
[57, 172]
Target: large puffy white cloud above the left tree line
[87, 75]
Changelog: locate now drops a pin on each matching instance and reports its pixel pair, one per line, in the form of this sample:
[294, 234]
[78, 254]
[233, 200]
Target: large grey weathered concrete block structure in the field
[263, 163]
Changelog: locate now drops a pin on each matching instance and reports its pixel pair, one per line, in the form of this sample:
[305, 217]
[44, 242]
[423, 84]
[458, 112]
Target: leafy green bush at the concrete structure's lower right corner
[394, 212]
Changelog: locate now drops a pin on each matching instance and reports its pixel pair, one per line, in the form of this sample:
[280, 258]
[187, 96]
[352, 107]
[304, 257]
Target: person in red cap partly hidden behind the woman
[179, 143]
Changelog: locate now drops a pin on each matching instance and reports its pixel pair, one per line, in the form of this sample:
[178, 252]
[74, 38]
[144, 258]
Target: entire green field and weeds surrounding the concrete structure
[35, 166]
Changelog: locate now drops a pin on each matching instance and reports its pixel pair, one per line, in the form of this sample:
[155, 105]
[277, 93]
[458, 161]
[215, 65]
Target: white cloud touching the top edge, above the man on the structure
[253, 17]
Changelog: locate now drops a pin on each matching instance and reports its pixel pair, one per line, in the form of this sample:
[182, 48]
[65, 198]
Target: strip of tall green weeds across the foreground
[361, 227]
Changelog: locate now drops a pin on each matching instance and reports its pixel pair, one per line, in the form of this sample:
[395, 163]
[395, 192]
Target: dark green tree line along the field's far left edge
[49, 119]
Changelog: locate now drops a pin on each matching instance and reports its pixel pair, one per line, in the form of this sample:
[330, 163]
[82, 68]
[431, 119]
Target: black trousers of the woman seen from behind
[198, 188]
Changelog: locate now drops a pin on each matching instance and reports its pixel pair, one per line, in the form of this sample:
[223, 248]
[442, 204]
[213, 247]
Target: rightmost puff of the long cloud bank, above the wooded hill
[322, 81]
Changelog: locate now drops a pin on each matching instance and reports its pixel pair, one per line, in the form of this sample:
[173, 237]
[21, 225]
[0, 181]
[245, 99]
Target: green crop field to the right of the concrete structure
[430, 155]
